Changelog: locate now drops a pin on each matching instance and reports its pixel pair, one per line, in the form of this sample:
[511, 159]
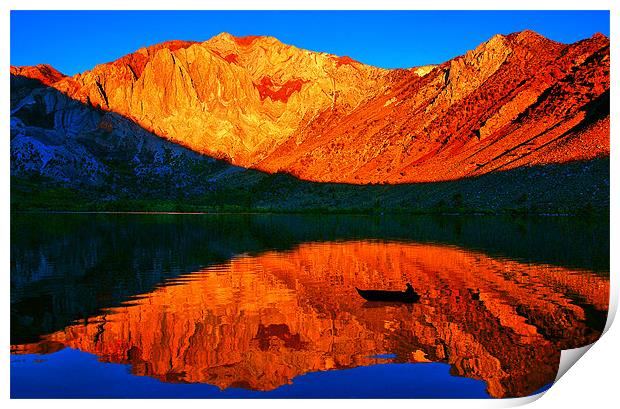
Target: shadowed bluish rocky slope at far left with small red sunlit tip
[63, 140]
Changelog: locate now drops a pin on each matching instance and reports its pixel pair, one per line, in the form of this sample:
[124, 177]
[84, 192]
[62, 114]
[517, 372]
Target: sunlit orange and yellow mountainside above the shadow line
[515, 100]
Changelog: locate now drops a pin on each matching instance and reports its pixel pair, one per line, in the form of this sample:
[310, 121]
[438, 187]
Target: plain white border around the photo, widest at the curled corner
[592, 383]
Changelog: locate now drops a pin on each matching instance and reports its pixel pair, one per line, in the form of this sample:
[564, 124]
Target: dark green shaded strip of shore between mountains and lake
[573, 188]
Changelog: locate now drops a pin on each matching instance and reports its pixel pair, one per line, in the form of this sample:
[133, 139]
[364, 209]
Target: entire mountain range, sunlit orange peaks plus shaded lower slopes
[188, 118]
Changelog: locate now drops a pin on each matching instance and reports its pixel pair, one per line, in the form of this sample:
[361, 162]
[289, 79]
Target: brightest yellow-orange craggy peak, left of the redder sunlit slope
[235, 98]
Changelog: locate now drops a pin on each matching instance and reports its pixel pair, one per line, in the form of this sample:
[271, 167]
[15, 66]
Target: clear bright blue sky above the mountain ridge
[74, 41]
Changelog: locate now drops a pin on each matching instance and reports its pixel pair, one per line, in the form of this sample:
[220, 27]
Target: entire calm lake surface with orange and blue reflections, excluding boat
[265, 306]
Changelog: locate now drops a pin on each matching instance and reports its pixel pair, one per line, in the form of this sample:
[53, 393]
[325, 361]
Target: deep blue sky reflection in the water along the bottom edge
[74, 374]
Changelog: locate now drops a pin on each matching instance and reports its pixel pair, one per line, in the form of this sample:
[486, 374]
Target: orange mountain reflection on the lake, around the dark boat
[259, 321]
